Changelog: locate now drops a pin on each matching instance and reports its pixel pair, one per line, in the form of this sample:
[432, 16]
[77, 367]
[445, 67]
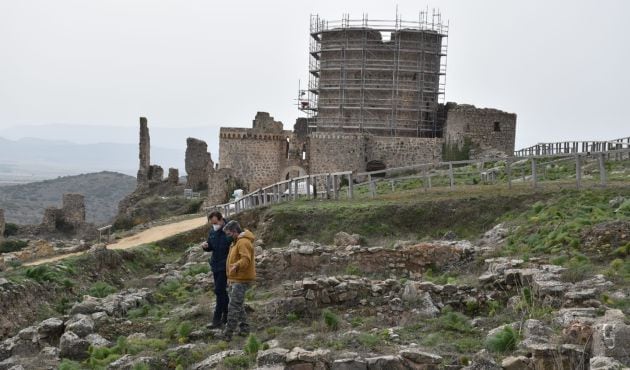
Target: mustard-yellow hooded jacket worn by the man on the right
[242, 254]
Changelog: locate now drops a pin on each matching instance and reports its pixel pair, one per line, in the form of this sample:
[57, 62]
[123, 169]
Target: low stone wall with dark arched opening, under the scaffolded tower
[403, 151]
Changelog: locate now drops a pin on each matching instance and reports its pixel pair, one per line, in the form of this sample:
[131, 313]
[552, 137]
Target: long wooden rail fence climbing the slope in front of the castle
[532, 170]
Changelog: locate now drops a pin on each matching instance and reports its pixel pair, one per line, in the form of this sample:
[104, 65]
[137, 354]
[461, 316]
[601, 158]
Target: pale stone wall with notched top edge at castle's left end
[257, 158]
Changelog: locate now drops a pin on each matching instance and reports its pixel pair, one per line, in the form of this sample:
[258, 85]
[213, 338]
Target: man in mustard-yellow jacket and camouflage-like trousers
[241, 274]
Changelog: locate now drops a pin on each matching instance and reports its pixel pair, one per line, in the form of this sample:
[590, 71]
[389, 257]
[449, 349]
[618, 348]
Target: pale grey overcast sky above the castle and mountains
[562, 66]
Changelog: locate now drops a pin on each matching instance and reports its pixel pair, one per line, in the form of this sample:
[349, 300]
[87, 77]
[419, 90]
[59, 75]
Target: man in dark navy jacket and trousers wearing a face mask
[219, 244]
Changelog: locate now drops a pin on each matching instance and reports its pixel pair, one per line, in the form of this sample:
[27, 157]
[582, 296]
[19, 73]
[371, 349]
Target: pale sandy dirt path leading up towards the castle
[147, 236]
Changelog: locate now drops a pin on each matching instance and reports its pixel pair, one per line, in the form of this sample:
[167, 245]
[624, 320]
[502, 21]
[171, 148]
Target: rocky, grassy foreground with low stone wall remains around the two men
[489, 303]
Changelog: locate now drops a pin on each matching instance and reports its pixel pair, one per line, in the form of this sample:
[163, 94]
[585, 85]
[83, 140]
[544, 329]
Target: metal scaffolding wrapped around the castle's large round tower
[376, 76]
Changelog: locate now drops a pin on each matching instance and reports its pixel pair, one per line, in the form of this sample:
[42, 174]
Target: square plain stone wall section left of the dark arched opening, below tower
[333, 152]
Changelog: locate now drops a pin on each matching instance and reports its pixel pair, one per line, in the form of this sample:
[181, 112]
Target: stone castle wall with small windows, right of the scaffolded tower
[486, 128]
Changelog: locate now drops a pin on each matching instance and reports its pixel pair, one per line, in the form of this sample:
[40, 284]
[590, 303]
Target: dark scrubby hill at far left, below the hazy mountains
[25, 204]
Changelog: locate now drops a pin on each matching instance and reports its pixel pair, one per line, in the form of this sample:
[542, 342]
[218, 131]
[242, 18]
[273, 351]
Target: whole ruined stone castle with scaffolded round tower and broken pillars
[375, 100]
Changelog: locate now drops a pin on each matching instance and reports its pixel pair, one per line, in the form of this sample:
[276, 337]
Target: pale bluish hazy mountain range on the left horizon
[33, 153]
